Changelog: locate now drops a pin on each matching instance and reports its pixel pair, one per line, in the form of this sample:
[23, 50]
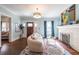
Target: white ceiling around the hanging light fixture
[47, 10]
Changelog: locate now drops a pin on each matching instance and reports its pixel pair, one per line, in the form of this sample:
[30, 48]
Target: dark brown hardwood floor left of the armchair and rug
[13, 48]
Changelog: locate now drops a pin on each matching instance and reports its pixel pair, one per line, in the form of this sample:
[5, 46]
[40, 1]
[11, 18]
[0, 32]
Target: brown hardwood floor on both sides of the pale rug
[14, 48]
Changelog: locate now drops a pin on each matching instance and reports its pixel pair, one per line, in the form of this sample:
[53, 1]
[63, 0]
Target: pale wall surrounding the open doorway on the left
[14, 19]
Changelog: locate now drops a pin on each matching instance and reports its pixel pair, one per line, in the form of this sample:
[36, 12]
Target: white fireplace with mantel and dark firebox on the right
[70, 33]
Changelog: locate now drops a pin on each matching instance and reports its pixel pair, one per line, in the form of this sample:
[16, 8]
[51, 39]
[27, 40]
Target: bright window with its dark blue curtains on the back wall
[48, 29]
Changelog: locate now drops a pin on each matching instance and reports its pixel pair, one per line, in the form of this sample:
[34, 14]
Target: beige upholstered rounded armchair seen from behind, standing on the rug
[35, 43]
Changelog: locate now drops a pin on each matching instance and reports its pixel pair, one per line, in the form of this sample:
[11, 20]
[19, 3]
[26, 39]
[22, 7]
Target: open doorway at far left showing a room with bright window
[5, 29]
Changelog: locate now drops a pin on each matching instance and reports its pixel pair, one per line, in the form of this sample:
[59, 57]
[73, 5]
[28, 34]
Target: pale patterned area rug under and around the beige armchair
[51, 50]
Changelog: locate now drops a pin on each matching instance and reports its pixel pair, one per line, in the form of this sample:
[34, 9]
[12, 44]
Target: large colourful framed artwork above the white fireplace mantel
[68, 16]
